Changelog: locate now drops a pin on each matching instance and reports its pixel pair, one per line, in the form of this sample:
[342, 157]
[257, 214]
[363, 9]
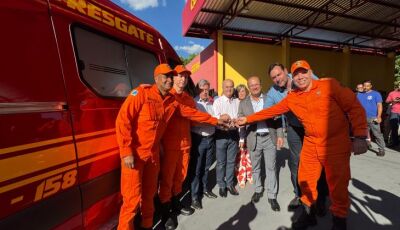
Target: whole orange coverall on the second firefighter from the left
[176, 147]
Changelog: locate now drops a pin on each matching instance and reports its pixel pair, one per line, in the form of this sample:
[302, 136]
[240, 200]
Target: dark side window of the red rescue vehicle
[109, 67]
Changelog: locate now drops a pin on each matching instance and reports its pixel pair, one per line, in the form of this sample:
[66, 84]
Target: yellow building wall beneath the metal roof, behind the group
[241, 60]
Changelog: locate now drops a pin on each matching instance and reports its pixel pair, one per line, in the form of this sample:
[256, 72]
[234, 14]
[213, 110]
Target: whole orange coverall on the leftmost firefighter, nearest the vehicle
[140, 125]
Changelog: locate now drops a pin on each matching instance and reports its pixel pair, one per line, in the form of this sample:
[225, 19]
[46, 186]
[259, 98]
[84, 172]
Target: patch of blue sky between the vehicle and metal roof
[166, 17]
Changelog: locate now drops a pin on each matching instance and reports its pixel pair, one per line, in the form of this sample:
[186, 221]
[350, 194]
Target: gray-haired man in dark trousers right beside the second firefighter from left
[203, 144]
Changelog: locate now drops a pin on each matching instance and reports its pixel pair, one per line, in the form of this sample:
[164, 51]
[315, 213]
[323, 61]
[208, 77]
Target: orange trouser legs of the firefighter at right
[337, 169]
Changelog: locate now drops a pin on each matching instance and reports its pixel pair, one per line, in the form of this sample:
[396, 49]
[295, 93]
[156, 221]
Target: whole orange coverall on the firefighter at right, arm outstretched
[327, 143]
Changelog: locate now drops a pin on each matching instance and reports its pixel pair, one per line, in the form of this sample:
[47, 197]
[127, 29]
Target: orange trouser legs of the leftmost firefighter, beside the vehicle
[138, 188]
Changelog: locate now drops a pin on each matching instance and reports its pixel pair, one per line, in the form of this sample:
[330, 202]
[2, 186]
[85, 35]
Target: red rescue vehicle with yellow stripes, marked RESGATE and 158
[66, 67]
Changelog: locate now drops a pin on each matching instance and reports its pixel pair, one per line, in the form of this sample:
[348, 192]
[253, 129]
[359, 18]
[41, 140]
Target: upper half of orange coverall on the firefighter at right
[322, 111]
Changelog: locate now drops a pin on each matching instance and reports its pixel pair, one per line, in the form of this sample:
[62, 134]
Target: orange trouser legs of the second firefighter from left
[174, 166]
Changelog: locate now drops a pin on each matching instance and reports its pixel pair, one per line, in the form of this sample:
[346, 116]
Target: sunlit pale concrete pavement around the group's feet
[374, 191]
